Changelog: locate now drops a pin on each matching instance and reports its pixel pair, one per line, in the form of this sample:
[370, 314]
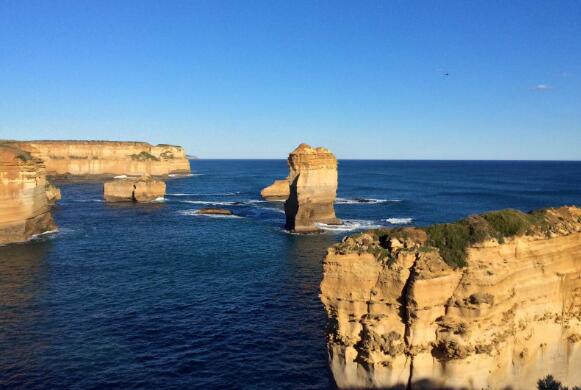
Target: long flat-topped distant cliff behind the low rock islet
[107, 157]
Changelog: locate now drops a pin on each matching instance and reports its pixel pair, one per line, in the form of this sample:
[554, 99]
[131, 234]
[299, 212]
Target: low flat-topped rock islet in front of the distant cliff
[133, 189]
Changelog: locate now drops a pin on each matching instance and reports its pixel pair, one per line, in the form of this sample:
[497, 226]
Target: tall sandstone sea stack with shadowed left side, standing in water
[312, 189]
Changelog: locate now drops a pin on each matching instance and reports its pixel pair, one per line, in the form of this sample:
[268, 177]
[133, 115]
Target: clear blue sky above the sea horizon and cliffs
[252, 79]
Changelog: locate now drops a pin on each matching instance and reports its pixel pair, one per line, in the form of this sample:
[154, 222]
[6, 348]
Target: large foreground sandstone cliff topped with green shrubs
[399, 314]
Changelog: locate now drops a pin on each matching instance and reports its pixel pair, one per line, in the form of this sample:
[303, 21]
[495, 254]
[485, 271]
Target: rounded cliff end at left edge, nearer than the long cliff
[24, 208]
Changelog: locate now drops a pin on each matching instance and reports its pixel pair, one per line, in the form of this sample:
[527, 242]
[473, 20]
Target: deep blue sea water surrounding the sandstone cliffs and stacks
[154, 297]
